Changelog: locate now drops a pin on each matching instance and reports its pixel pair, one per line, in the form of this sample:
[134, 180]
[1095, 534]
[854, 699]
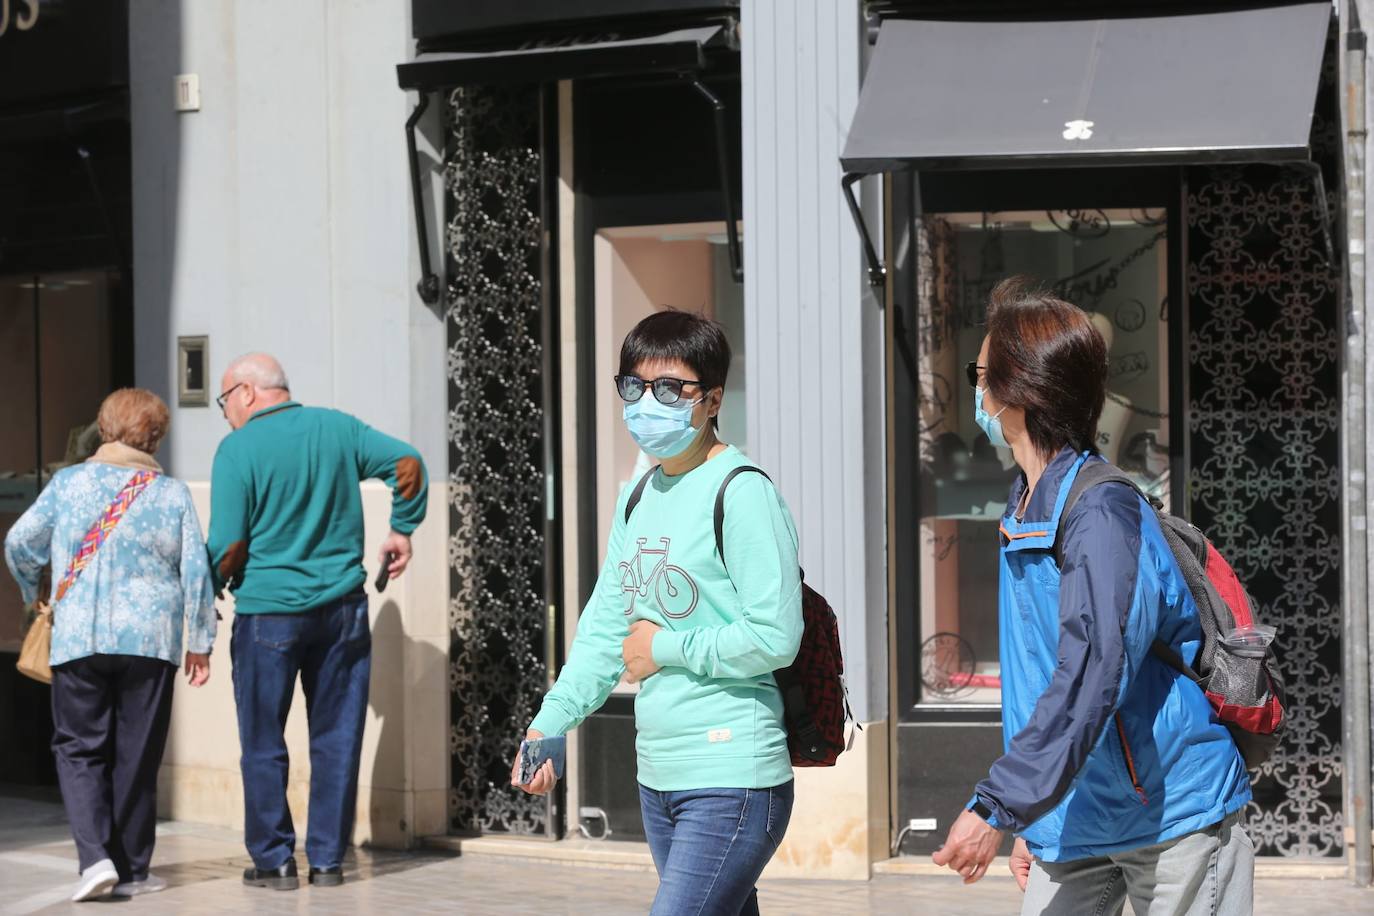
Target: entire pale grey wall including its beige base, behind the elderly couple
[278, 218]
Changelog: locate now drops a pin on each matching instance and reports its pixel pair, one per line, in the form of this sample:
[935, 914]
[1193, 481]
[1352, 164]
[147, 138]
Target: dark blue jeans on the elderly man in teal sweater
[332, 649]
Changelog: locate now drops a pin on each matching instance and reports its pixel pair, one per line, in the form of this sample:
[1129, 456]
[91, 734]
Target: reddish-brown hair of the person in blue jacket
[1046, 358]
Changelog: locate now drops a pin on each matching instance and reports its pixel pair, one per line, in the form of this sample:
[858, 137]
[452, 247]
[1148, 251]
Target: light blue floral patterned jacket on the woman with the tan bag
[148, 580]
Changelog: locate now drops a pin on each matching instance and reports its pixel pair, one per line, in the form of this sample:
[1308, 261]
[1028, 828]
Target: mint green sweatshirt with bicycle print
[711, 718]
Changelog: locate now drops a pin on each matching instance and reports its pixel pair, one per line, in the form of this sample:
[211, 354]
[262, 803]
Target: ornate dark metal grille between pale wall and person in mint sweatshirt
[497, 557]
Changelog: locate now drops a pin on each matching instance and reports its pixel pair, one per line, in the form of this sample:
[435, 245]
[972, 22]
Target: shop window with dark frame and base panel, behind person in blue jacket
[951, 483]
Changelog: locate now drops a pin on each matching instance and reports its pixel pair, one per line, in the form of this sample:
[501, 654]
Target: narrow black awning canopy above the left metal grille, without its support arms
[681, 51]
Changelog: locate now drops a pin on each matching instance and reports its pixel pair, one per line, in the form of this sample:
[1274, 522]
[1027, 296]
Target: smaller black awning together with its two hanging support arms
[682, 53]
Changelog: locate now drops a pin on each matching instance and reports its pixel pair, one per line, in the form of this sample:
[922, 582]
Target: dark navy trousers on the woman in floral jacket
[111, 716]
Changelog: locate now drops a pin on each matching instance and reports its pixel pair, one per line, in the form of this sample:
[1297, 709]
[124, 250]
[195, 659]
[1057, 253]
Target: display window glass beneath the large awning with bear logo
[1111, 263]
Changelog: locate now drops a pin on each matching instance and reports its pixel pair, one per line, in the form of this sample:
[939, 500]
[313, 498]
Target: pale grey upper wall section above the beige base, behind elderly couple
[278, 216]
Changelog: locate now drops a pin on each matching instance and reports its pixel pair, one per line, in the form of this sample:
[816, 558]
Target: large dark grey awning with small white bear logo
[1221, 87]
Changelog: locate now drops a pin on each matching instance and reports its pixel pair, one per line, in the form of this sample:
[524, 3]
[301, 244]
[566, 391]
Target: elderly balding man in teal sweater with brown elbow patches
[286, 538]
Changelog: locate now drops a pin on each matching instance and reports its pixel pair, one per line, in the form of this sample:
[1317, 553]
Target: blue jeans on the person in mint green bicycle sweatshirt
[711, 847]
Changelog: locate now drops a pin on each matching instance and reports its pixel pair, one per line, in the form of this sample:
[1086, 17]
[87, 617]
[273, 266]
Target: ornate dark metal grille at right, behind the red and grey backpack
[1266, 480]
